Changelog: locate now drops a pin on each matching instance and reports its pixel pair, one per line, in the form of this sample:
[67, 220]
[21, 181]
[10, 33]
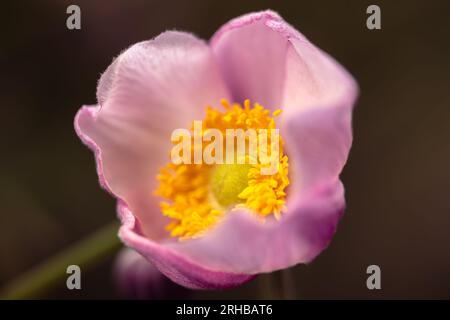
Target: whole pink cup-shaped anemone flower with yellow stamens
[202, 231]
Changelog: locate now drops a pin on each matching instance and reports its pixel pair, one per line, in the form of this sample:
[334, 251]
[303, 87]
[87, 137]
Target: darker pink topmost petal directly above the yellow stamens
[252, 58]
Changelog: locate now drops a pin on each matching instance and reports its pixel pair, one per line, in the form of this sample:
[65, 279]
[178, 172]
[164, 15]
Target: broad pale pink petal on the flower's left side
[149, 90]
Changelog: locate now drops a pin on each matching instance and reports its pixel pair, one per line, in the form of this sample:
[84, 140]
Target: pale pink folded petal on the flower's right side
[318, 101]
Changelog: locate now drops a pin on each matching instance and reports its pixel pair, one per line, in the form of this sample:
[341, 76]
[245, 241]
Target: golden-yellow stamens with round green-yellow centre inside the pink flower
[197, 195]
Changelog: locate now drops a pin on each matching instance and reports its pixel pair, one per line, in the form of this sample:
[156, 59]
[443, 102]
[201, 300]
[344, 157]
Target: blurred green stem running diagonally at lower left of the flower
[39, 280]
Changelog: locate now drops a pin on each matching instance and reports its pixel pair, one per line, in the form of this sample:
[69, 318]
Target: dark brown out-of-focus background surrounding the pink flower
[397, 178]
